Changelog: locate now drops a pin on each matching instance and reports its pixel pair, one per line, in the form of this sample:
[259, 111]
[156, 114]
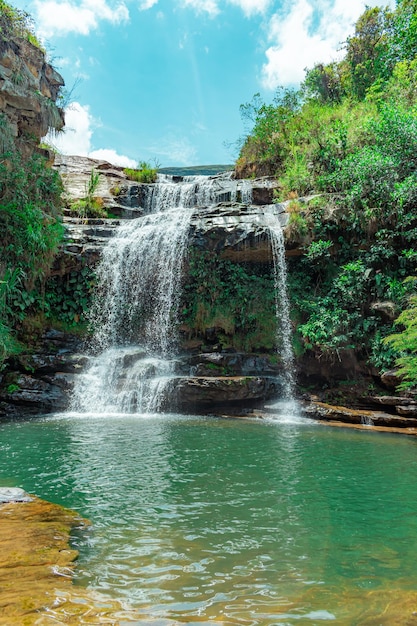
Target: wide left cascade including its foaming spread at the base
[135, 316]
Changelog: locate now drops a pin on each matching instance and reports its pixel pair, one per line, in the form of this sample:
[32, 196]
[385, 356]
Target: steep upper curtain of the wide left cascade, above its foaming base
[138, 283]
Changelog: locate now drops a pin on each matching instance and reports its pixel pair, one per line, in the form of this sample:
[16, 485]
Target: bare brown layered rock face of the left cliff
[29, 88]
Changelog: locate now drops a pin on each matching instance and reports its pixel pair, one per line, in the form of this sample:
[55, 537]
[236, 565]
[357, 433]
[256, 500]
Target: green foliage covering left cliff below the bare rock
[30, 202]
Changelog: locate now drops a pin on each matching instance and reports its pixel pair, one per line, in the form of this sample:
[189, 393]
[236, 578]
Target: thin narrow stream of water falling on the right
[282, 303]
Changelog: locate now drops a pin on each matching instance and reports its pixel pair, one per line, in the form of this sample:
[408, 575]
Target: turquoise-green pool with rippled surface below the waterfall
[206, 520]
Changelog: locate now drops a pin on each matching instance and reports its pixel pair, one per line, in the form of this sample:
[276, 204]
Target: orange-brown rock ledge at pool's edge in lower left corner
[37, 566]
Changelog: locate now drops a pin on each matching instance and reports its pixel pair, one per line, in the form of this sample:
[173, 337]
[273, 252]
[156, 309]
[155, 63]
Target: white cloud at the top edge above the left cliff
[60, 18]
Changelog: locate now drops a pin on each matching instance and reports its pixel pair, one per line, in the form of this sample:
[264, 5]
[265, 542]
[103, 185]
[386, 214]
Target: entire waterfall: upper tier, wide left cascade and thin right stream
[139, 278]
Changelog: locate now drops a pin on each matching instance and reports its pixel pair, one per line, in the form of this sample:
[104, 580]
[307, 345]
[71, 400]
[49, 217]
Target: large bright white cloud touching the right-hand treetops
[310, 32]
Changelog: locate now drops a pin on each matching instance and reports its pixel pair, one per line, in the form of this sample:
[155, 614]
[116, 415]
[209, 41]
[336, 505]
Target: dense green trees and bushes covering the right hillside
[344, 148]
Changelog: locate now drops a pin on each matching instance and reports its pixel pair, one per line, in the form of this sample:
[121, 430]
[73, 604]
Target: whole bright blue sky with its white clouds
[162, 80]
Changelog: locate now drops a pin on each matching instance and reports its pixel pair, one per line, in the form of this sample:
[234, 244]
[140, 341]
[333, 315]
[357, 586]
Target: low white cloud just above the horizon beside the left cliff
[76, 138]
